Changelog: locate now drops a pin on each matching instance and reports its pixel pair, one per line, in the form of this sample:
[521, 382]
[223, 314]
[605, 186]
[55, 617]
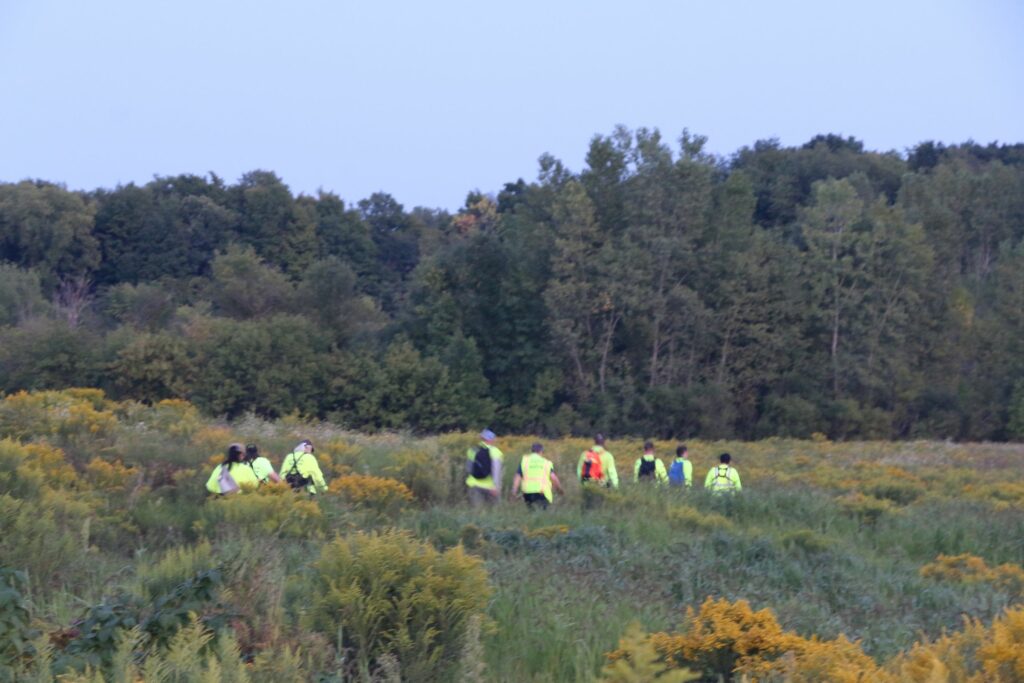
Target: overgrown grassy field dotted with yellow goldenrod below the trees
[119, 567]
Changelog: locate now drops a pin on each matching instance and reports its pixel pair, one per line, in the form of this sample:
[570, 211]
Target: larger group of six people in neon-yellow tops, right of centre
[536, 480]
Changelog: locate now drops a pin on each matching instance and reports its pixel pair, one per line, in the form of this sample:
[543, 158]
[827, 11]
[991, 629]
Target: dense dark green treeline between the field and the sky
[660, 291]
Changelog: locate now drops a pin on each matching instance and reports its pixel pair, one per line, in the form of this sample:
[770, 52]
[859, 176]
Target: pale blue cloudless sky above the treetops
[431, 101]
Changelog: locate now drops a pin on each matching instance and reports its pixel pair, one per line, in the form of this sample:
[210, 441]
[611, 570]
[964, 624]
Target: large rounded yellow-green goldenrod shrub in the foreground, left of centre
[391, 594]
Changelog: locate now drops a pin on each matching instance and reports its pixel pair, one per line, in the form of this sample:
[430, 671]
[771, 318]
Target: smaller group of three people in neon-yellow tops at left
[244, 468]
